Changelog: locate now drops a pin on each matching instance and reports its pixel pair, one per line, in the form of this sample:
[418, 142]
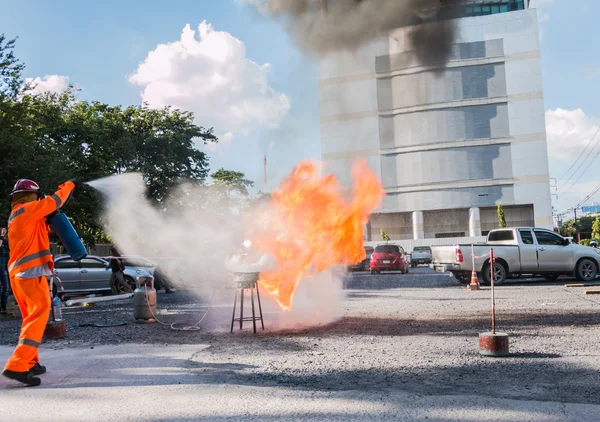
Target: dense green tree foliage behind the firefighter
[51, 138]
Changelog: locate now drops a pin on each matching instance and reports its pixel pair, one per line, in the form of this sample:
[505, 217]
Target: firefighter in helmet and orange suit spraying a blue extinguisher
[29, 265]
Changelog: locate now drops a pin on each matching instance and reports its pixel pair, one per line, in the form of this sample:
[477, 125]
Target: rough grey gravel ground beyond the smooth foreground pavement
[415, 333]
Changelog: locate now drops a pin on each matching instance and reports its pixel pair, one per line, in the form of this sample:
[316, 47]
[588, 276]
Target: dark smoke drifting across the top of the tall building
[323, 26]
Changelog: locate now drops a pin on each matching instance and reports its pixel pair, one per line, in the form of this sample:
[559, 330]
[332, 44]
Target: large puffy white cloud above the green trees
[211, 76]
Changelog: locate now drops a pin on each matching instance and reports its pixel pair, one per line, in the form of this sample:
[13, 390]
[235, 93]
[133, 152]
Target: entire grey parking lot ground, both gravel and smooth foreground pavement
[405, 348]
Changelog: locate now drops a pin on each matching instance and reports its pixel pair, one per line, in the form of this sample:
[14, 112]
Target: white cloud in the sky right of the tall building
[569, 132]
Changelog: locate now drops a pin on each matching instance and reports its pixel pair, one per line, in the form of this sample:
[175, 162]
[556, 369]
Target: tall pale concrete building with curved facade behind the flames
[448, 144]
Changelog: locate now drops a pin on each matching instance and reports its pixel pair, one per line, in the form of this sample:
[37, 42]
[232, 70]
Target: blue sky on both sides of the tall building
[99, 46]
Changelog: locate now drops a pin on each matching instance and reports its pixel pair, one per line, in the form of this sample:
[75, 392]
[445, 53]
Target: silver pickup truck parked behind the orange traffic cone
[522, 250]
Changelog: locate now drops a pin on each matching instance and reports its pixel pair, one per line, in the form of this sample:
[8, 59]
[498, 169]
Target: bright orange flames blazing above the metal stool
[311, 225]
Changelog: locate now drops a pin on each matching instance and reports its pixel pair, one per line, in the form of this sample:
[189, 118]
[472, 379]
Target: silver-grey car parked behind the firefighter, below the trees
[92, 274]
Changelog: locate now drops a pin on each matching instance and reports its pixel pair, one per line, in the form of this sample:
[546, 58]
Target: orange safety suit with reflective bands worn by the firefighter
[30, 248]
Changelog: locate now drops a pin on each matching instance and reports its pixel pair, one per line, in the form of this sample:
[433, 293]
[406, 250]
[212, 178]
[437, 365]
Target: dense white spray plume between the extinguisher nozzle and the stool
[187, 239]
